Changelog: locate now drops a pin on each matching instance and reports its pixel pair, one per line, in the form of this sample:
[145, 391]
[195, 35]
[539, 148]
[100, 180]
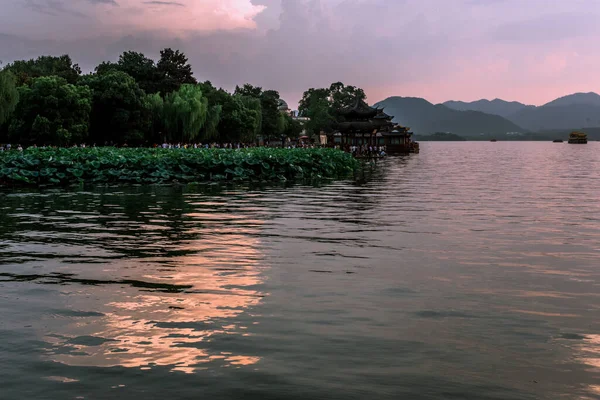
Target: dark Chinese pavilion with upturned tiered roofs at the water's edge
[363, 125]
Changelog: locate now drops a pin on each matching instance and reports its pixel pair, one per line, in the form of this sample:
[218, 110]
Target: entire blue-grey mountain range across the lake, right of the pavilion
[496, 118]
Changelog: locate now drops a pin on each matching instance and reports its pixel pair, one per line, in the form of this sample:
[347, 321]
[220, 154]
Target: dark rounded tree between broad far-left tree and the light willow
[120, 112]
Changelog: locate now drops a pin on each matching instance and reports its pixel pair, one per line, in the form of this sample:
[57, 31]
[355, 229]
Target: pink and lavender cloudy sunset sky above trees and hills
[531, 51]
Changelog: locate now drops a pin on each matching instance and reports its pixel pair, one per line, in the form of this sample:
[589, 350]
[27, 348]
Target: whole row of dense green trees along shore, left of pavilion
[137, 100]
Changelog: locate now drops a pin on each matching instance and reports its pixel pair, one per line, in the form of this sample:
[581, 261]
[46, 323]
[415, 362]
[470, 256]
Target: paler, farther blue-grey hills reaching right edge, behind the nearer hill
[575, 111]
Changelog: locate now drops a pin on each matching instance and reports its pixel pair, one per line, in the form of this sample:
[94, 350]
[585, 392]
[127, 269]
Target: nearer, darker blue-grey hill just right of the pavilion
[425, 118]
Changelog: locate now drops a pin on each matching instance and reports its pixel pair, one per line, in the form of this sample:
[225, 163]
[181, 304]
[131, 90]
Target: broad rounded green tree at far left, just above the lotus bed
[51, 111]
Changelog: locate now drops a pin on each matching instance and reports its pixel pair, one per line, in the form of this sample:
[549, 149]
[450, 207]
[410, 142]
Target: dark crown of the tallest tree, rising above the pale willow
[174, 71]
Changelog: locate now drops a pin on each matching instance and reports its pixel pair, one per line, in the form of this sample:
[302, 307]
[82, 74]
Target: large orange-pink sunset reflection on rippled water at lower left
[143, 328]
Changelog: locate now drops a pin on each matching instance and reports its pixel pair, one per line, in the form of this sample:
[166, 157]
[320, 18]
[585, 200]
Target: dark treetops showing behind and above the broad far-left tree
[62, 66]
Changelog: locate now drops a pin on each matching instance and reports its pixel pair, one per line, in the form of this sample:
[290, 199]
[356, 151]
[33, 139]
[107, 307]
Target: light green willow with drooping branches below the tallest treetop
[186, 111]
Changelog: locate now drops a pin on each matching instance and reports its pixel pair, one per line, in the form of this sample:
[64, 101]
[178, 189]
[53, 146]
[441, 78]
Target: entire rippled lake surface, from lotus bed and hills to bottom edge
[469, 271]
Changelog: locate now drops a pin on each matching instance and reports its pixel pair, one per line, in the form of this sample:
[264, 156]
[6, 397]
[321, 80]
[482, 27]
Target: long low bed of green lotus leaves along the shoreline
[62, 166]
